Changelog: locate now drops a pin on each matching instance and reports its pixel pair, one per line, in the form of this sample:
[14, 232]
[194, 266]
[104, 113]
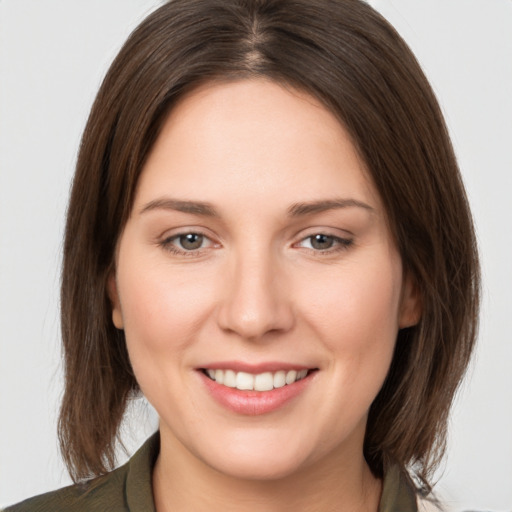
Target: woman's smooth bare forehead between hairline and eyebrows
[285, 143]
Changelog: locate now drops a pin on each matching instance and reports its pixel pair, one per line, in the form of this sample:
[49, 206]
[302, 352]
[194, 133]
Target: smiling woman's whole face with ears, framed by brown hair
[257, 283]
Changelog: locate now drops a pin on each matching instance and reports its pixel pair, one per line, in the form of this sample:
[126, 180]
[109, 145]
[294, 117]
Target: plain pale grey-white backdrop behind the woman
[53, 55]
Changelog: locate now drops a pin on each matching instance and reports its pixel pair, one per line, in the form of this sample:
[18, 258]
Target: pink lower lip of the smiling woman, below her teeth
[253, 403]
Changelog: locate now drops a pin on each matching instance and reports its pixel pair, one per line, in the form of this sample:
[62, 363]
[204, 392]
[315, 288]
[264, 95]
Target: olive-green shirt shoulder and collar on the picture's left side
[126, 488]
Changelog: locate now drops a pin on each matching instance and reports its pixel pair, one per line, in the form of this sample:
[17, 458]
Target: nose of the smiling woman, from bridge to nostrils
[257, 301]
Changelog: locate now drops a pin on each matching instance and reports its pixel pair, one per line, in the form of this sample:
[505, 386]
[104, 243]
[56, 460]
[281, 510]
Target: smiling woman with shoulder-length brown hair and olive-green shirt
[266, 220]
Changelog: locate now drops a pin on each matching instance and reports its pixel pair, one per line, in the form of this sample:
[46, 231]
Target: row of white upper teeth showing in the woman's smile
[261, 382]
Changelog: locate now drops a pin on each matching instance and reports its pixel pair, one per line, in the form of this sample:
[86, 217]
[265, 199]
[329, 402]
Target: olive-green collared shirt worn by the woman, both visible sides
[128, 489]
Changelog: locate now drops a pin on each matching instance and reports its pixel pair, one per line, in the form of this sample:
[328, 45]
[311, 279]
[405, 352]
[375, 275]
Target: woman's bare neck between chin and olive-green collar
[182, 483]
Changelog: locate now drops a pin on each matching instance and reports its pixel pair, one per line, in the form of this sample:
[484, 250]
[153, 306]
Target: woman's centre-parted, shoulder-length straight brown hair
[346, 55]
